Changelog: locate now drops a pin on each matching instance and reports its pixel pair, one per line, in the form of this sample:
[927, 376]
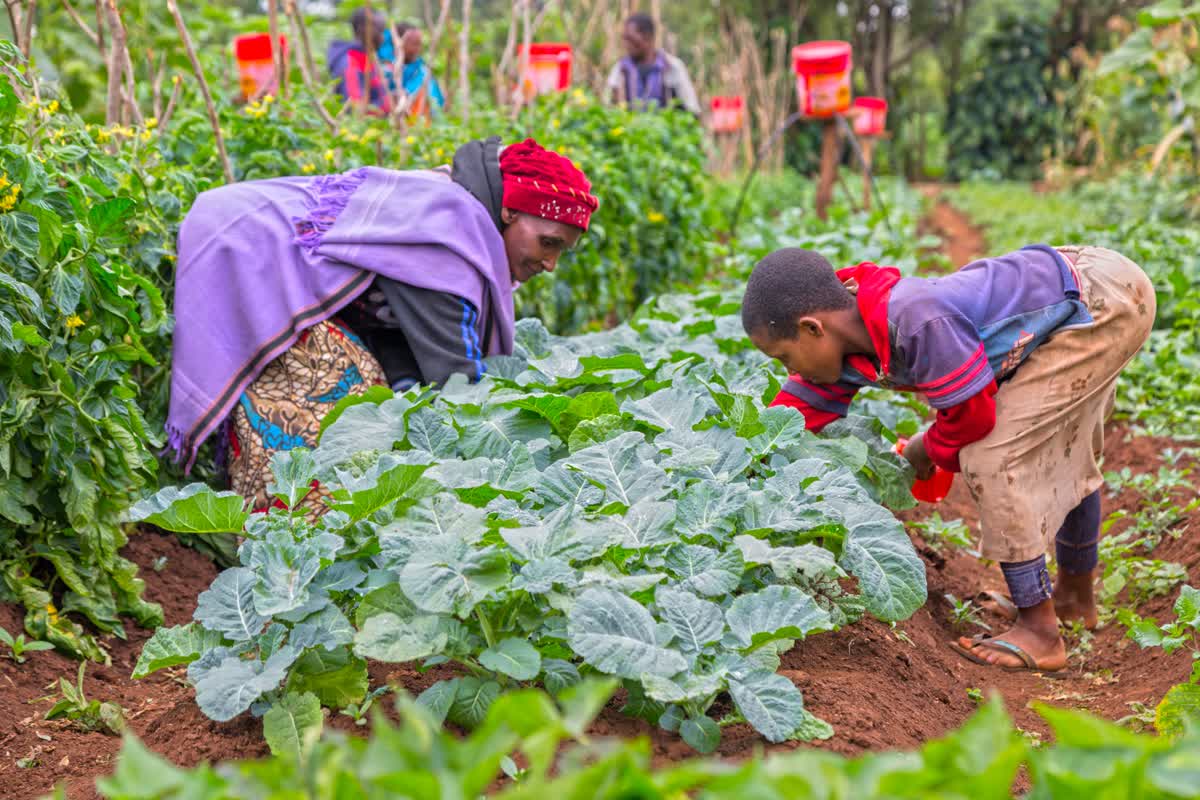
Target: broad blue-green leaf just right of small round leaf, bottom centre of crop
[616, 635]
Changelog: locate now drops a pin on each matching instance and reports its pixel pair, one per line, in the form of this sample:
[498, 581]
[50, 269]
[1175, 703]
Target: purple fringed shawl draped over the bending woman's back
[263, 261]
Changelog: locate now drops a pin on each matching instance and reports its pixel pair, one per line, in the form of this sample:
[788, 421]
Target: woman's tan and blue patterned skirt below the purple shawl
[284, 408]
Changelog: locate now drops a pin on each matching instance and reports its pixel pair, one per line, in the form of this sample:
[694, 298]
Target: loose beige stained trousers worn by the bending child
[1041, 460]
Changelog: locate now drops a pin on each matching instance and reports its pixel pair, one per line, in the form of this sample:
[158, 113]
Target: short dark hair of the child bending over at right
[788, 285]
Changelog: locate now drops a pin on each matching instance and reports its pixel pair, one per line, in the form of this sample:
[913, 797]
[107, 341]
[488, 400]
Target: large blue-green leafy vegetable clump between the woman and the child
[617, 503]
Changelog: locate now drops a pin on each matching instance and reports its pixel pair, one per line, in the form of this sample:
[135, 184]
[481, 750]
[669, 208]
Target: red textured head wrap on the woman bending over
[547, 185]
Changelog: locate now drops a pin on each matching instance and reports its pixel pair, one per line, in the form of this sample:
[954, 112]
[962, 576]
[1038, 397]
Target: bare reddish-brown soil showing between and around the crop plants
[880, 688]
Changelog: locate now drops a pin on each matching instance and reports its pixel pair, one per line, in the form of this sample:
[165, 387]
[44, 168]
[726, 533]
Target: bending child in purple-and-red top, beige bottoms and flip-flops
[1019, 357]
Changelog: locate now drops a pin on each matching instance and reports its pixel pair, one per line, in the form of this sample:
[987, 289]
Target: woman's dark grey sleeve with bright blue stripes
[442, 330]
